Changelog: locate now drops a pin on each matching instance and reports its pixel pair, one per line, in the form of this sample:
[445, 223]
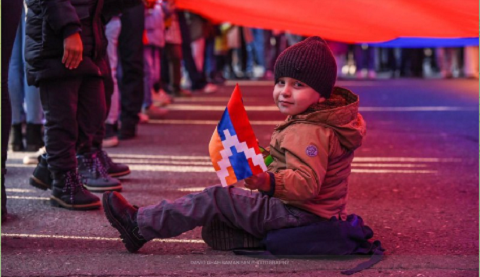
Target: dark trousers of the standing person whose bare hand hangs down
[73, 110]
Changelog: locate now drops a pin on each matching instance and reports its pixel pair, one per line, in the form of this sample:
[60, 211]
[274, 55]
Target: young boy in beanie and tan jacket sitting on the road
[307, 181]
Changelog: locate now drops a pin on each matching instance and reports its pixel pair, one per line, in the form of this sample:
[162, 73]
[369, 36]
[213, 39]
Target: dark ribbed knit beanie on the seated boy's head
[310, 61]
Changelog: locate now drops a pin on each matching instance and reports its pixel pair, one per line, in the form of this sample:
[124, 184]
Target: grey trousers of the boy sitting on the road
[238, 208]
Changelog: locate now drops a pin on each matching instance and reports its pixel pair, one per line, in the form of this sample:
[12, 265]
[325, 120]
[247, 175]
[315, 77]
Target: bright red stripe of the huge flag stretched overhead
[352, 21]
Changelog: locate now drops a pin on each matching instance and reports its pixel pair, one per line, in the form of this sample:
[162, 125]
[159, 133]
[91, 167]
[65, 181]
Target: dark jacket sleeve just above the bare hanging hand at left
[61, 16]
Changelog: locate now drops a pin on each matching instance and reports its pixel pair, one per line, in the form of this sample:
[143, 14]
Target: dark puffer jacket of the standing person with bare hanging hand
[50, 21]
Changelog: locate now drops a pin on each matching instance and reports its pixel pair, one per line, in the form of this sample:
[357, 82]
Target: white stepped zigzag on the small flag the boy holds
[257, 159]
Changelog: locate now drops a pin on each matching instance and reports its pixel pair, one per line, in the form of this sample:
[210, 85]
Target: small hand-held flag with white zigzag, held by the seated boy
[233, 148]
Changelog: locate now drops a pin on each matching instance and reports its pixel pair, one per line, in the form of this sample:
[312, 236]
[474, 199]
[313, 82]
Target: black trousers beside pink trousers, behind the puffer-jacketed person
[130, 53]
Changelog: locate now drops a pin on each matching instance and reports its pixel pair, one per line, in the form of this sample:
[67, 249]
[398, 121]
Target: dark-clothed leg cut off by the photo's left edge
[11, 10]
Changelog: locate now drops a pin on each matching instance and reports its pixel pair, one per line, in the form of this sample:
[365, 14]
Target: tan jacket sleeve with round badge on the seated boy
[306, 157]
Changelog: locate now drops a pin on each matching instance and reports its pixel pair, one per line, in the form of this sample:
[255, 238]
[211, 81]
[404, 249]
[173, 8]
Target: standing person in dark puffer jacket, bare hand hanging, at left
[66, 58]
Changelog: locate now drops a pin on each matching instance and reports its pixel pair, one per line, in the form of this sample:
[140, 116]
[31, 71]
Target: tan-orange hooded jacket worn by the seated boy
[313, 152]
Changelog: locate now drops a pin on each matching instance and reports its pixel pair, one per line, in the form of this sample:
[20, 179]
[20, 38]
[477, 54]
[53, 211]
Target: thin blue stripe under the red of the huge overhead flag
[427, 42]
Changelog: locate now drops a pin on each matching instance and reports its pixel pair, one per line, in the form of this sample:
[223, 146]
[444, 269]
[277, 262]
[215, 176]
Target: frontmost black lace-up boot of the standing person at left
[68, 192]
